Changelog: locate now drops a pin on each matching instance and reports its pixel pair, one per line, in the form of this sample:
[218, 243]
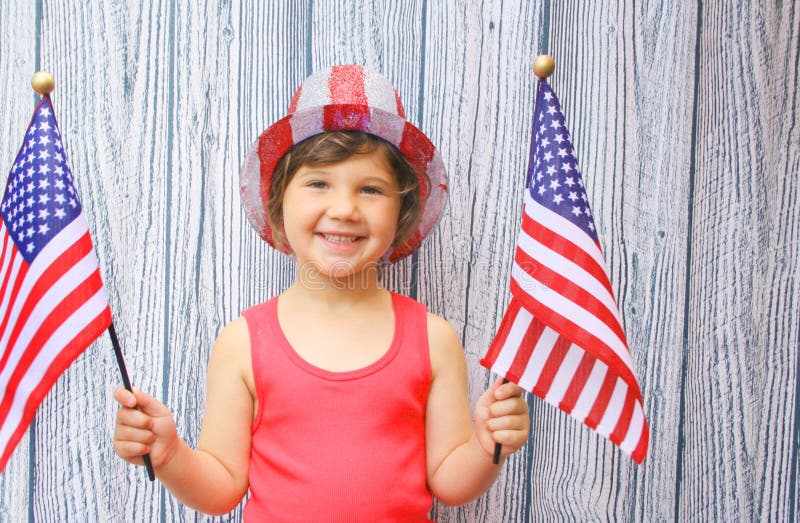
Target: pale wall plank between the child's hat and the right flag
[478, 106]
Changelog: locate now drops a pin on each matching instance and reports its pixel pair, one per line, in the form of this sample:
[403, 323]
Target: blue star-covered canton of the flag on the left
[40, 198]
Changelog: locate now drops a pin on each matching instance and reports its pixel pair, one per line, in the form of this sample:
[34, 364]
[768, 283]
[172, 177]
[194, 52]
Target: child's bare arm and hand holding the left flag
[212, 479]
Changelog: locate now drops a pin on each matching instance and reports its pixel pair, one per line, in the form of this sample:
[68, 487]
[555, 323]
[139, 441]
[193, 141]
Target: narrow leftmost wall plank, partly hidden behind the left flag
[17, 65]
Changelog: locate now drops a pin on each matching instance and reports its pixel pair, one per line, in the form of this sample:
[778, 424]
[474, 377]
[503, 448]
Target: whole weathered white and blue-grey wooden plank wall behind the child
[684, 117]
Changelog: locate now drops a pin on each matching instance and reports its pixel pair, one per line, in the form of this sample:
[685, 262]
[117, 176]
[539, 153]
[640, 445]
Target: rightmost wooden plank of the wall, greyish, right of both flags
[741, 378]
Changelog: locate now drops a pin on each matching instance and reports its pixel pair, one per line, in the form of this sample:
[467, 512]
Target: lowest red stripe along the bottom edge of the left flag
[67, 355]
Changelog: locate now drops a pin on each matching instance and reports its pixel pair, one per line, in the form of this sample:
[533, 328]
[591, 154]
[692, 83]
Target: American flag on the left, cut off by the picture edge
[52, 300]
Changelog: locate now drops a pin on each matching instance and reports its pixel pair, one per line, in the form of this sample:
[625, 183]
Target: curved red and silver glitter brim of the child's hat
[280, 137]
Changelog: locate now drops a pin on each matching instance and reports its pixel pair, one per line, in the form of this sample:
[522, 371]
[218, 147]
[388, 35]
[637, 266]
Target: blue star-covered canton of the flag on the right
[554, 179]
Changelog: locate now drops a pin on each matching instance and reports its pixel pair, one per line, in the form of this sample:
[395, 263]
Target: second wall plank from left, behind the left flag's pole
[111, 104]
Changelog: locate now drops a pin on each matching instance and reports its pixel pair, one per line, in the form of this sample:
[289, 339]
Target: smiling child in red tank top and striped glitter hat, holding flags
[337, 400]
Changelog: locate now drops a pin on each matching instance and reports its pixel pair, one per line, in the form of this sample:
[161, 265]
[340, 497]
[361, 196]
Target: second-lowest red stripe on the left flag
[58, 315]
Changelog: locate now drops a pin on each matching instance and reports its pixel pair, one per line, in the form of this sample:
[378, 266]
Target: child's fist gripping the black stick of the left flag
[148, 430]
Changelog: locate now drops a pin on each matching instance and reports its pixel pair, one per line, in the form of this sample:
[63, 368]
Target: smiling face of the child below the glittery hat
[339, 219]
